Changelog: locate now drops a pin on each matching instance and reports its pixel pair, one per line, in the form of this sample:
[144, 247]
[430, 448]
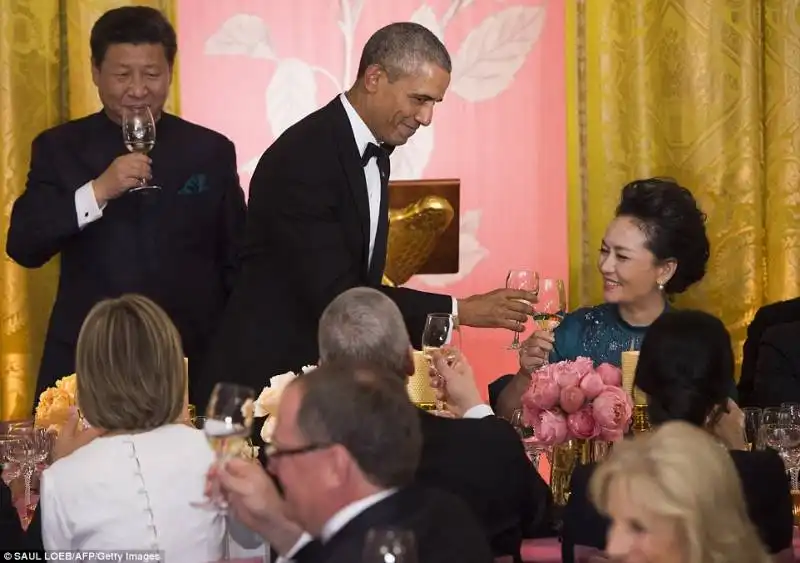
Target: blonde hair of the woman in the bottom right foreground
[680, 472]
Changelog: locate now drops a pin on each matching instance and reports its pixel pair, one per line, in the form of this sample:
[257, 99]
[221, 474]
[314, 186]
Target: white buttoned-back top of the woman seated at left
[133, 491]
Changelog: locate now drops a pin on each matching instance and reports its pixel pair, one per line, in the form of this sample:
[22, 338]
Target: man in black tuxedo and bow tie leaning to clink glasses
[317, 221]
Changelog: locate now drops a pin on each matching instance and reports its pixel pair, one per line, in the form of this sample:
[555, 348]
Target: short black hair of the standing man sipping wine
[132, 24]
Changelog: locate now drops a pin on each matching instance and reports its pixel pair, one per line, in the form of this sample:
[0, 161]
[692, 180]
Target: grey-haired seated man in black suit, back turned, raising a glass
[480, 460]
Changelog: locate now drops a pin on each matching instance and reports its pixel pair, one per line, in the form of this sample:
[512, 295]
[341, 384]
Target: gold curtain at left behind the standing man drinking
[45, 79]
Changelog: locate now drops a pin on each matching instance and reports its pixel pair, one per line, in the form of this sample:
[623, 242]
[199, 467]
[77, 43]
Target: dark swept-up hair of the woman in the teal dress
[673, 224]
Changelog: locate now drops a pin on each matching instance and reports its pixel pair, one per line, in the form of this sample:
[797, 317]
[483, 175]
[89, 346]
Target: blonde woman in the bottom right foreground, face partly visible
[674, 496]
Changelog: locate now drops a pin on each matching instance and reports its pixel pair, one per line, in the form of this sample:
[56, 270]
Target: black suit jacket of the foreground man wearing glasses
[444, 530]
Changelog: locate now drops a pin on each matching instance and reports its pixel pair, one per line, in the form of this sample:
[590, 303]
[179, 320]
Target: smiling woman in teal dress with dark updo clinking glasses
[656, 247]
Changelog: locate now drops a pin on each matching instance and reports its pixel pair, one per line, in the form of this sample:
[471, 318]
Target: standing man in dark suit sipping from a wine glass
[176, 244]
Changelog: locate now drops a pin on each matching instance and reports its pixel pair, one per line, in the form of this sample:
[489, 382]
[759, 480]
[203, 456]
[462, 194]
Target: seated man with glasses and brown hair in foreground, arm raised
[344, 450]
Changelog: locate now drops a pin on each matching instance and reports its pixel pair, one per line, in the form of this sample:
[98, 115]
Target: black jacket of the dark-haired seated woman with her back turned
[764, 483]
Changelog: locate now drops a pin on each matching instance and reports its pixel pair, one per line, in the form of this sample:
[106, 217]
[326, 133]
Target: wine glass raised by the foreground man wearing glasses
[229, 417]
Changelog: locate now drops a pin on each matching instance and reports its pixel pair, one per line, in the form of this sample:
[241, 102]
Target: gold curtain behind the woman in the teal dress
[705, 92]
